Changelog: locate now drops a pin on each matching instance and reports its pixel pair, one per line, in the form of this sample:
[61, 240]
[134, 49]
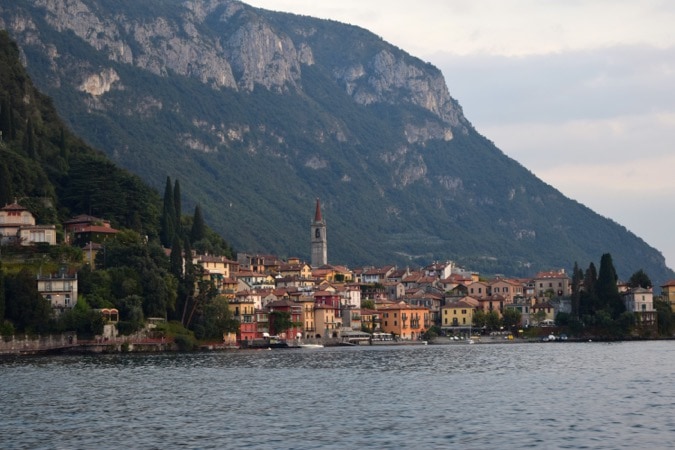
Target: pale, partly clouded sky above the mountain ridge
[580, 92]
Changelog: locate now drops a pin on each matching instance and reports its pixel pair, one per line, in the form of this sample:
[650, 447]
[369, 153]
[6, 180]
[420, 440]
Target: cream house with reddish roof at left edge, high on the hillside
[17, 224]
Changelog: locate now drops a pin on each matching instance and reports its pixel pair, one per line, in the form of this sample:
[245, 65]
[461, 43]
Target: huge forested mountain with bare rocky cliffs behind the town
[258, 113]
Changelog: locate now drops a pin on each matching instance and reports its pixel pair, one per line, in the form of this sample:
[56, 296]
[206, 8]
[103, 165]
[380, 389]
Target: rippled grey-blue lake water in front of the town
[497, 396]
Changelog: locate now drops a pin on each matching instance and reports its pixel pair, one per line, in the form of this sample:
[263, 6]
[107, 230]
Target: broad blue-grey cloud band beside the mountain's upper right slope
[589, 84]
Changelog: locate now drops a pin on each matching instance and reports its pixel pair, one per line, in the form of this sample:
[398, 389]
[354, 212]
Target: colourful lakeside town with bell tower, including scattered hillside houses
[292, 301]
